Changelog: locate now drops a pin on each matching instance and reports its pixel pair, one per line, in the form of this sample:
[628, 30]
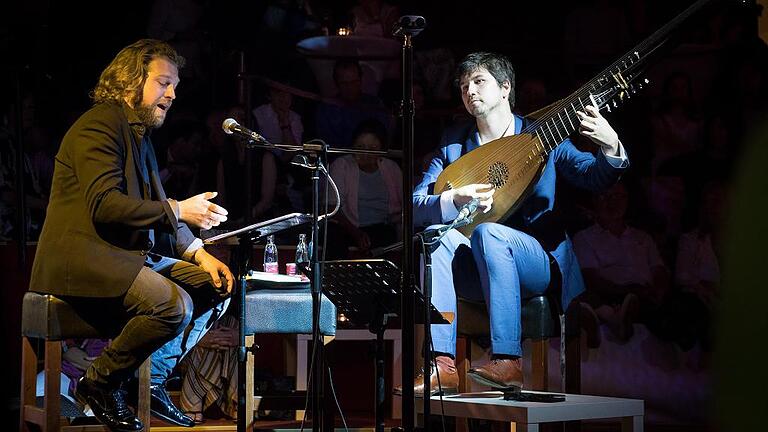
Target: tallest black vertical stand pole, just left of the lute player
[408, 26]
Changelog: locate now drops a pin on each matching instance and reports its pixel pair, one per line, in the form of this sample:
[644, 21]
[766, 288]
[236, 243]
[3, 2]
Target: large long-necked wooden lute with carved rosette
[513, 164]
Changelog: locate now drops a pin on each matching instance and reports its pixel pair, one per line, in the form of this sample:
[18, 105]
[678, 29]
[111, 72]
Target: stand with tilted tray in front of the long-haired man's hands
[244, 238]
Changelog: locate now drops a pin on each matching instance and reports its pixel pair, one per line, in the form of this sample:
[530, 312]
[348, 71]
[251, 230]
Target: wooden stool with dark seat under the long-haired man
[49, 318]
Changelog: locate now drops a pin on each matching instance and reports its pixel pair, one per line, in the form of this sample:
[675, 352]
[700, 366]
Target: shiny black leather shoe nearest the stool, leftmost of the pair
[108, 405]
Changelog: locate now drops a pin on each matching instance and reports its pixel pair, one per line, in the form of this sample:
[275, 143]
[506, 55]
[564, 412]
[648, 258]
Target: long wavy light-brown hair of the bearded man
[126, 74]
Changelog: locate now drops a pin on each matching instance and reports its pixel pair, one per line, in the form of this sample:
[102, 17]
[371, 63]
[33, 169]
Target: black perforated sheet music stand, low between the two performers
[369, 292]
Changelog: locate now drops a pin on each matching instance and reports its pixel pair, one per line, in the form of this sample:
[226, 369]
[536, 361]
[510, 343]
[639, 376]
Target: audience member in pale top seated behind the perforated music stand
[371, 193]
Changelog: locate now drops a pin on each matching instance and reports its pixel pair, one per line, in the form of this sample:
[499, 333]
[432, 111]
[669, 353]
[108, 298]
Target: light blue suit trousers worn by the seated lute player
[498, 265]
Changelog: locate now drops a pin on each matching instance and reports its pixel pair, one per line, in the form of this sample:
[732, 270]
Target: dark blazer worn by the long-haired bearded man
[97, 229]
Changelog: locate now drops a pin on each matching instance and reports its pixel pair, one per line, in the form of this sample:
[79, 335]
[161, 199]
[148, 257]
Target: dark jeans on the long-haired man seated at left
[165, 312]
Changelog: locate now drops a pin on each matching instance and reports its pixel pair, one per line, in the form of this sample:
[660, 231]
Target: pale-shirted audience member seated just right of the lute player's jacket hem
[622, 268]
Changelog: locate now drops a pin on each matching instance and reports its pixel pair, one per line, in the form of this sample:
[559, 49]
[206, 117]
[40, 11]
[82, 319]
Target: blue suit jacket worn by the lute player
[535, 215]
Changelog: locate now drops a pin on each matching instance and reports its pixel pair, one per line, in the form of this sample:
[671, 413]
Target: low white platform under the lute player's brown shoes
[528, 415]
